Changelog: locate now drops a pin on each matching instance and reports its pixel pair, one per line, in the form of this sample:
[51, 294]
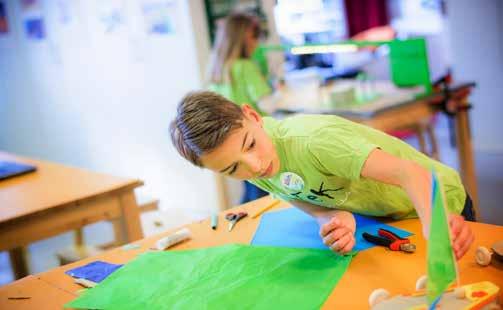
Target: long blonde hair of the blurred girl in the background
[230, 45]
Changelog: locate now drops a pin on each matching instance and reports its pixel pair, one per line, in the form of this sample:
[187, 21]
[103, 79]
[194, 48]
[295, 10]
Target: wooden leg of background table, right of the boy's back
[465, 154]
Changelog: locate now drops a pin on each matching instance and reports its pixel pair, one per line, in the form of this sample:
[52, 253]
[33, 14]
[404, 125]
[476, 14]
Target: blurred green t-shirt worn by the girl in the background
[247, 85]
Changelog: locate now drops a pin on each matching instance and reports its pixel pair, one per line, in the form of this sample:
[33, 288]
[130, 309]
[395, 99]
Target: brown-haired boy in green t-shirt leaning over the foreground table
[323, 164]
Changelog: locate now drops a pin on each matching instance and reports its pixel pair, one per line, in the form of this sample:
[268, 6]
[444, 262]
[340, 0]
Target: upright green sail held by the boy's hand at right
[441, 262]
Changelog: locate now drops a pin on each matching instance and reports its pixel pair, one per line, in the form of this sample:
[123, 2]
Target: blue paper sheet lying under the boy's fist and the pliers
[296, 229]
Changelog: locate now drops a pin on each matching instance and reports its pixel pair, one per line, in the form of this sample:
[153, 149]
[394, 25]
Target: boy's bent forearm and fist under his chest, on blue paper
[337, 227]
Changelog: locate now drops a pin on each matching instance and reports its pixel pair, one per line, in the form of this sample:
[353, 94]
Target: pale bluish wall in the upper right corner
[476, 32]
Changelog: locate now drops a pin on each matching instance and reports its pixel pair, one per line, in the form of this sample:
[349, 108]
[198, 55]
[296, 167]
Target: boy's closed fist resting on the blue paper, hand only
[338, 237]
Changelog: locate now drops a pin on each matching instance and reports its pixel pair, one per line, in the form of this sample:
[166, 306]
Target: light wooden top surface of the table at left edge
[51, 186]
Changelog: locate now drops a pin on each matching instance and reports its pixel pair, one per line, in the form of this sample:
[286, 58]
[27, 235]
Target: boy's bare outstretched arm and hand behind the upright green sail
[416, 181]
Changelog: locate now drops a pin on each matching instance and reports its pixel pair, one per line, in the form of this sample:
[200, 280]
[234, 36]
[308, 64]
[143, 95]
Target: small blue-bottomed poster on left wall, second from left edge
[33, 19]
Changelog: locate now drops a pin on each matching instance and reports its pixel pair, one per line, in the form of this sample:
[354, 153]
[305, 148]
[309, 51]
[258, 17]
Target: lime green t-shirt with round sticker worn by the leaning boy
[326, 154]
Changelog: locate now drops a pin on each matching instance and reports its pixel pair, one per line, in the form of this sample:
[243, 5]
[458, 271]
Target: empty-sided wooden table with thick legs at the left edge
[58, 198]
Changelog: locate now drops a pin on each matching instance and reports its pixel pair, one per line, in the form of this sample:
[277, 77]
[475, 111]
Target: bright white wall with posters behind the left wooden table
[104, 101]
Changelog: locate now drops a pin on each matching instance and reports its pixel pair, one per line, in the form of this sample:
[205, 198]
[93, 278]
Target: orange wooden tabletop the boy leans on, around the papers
[370, 269]
